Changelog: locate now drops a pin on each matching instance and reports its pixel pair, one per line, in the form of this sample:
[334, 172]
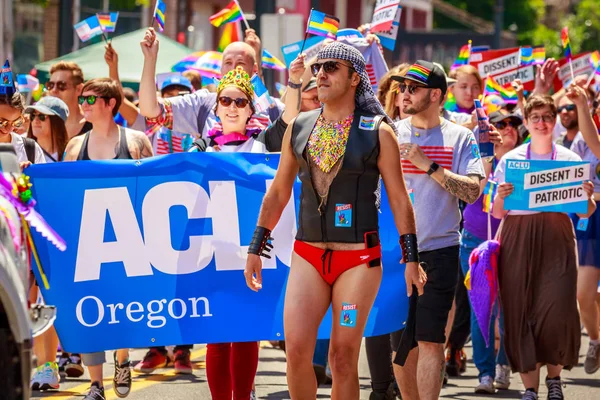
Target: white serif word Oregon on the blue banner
[135, 311]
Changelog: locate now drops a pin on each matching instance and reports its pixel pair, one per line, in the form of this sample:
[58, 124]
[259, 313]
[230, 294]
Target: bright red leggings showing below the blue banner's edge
[231, 368]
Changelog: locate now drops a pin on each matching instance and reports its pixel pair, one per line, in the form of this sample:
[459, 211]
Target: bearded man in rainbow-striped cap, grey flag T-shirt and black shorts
[441, 163]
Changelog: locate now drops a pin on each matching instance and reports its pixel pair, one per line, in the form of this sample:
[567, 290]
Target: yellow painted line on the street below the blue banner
[73, 393]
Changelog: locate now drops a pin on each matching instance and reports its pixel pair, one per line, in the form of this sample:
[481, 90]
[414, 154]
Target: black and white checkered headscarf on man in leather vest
[365, 96]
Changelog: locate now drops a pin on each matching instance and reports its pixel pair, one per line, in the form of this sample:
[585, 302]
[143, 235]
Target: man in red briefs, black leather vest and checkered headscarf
[339, 152]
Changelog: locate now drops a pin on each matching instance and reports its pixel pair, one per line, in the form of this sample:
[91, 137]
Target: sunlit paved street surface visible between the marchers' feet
[271, 384]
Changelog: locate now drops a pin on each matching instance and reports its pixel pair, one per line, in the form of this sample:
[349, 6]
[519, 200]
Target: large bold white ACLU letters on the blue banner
[141, 253]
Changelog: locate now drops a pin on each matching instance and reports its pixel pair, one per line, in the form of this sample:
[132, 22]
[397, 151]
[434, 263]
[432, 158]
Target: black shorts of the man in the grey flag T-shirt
[428, 314]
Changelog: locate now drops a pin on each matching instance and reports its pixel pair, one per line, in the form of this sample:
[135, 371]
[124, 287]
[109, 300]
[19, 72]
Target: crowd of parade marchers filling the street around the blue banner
[343, 140]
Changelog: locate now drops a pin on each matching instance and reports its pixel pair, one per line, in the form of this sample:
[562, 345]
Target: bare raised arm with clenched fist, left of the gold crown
[149, 106]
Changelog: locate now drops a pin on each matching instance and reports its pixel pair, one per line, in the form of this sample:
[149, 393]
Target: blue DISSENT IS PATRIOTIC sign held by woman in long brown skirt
[545, 185]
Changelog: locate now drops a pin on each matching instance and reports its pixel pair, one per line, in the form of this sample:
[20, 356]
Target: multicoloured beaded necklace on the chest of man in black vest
[327, 142]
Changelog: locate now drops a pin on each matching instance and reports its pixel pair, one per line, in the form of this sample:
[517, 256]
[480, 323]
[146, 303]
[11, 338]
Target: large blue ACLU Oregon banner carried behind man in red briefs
[156, 250]
